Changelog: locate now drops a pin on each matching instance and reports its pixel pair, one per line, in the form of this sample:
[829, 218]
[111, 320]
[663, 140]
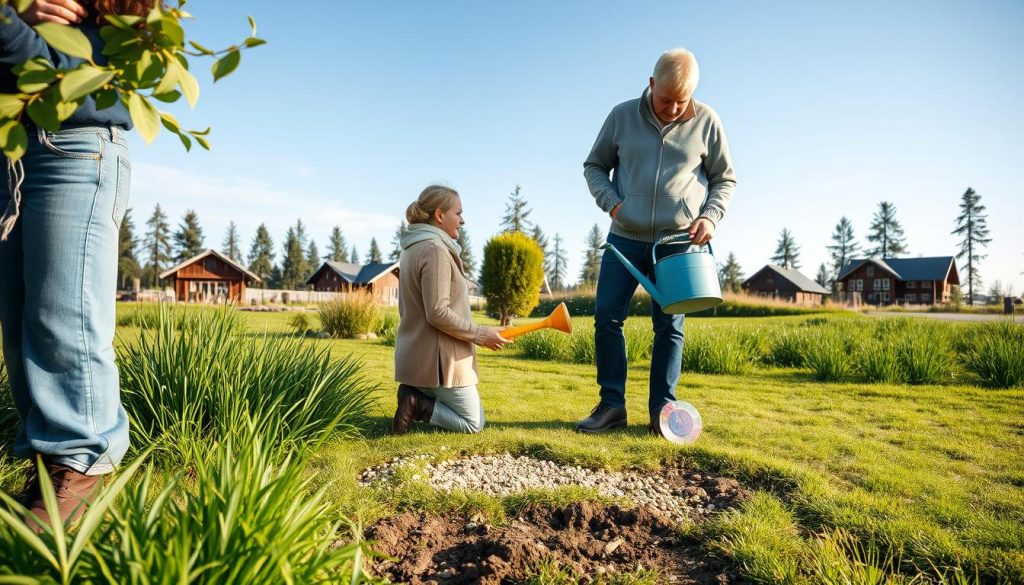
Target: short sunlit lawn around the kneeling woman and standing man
[911, 482]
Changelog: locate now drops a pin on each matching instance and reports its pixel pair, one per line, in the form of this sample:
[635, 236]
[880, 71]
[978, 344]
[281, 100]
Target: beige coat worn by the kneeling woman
[435, 346]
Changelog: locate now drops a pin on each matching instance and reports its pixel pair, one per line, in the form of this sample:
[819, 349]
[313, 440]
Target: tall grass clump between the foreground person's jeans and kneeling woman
[184, 390]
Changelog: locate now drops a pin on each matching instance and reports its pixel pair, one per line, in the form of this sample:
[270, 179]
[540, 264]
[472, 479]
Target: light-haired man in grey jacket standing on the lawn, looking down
[660, 166]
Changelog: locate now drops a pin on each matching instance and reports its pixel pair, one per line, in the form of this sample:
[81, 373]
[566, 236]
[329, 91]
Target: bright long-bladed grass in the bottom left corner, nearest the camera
[241, 519]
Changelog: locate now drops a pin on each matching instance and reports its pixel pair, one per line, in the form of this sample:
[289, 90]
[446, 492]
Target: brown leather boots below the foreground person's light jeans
[74, 491]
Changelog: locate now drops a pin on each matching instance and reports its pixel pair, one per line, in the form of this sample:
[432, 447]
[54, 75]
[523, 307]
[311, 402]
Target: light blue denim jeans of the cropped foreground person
[58, 286]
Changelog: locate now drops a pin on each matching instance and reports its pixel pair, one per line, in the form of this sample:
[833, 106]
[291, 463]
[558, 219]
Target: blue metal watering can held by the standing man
[687, 275]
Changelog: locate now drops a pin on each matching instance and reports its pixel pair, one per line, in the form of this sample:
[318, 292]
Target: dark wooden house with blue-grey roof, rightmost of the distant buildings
[909, 281]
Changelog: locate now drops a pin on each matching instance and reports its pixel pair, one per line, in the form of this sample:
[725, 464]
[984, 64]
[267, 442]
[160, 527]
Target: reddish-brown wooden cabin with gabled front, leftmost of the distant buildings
[209, 277]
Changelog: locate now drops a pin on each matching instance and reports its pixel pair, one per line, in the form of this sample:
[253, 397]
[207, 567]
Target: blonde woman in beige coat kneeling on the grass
[435, 357]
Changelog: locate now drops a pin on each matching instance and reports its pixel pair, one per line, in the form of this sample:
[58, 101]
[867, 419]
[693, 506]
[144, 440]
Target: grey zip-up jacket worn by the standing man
[665, 178]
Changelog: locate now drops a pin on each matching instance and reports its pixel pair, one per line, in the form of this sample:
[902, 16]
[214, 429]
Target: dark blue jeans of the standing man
[616, 287]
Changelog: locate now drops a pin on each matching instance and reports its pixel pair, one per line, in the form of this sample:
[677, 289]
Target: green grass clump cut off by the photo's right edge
[996, 355]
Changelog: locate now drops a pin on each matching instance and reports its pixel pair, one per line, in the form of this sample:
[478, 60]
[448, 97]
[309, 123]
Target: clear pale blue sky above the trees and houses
[830, 108]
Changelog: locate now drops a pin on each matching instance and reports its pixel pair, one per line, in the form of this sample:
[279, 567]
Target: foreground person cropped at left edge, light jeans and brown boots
[60, 221]
